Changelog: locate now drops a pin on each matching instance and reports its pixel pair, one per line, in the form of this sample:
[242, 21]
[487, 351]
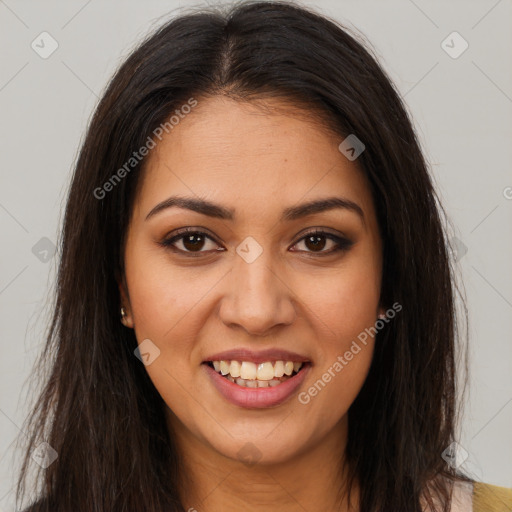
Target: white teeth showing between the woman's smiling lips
[257, 375]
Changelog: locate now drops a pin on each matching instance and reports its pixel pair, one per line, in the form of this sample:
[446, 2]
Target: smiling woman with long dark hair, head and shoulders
[251, 199]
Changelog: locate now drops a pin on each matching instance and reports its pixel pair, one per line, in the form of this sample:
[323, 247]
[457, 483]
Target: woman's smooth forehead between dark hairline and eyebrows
[247, 157]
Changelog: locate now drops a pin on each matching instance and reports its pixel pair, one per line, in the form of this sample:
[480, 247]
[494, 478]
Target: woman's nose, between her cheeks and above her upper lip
[259, 299]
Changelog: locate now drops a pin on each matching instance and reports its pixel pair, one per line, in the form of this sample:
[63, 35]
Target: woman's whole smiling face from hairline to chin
[255, 286]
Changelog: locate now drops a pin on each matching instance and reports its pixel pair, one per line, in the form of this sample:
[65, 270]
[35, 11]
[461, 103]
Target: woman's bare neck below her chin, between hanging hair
[311, 480]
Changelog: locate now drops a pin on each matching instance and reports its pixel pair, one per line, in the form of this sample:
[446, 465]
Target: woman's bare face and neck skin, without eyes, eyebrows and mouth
[290, 297]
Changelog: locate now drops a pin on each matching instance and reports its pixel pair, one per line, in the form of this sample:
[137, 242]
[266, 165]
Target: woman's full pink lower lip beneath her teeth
[257, 398]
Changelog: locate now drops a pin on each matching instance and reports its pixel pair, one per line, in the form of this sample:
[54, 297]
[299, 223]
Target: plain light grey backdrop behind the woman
[461, 108]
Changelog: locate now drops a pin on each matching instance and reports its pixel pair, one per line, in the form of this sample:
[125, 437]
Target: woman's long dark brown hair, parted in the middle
[99, 410]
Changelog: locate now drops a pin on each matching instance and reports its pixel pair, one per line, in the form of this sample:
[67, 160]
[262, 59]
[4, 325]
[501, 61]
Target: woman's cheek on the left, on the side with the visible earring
[165, 302]
